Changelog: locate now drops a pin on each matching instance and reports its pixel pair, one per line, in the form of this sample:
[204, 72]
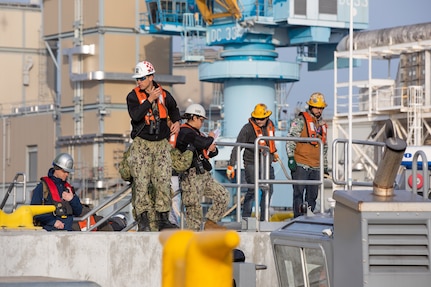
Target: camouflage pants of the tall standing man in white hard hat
[150, 163]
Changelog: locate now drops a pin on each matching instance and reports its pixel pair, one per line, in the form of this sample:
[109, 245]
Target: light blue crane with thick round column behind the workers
[249, 32]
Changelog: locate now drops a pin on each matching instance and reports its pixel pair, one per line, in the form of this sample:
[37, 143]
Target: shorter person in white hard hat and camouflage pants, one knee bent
[197, 181]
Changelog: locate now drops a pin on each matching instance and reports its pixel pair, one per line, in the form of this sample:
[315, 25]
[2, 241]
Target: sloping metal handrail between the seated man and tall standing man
[111, 200]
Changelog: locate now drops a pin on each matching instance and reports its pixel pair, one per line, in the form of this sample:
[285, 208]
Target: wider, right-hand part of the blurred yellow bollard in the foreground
[209, 259]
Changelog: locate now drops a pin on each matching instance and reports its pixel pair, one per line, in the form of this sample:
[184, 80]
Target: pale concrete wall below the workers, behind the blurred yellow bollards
[110, 259]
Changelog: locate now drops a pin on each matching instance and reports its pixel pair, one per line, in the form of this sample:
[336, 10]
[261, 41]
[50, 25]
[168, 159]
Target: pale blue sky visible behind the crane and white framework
[382, 14]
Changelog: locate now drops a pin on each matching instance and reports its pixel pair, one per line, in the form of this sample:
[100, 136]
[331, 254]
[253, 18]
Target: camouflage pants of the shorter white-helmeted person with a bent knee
[195, 186]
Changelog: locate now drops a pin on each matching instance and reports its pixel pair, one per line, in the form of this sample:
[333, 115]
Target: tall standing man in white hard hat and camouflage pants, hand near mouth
[149, 107]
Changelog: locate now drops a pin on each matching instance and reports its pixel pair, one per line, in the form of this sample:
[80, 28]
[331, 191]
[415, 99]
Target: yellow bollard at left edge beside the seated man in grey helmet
[23, 216]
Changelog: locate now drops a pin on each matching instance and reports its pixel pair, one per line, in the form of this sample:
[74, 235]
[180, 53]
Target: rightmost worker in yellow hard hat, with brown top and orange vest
[304, 157]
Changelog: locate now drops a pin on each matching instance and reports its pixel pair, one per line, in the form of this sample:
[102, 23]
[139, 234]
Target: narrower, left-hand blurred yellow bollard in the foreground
[174, 257]
